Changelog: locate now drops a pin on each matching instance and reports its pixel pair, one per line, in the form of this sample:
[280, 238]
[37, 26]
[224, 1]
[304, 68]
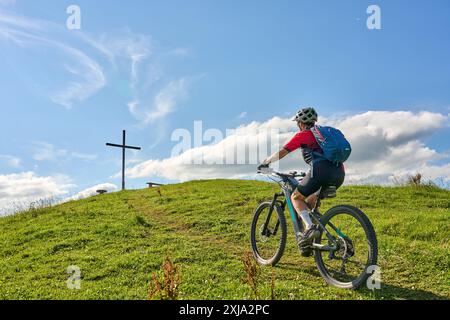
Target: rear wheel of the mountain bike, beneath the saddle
[347, 268]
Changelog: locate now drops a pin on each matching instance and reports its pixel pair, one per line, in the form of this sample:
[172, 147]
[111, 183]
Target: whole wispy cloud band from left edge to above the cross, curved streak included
[153, 96]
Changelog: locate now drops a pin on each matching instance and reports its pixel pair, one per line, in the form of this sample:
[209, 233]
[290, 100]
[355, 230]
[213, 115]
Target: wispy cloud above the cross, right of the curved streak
[153, 96]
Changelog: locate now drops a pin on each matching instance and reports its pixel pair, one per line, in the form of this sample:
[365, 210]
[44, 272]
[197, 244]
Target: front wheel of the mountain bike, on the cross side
[268, 234]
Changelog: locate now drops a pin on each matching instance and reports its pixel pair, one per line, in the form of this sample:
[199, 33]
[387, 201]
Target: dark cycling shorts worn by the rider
[324, 173]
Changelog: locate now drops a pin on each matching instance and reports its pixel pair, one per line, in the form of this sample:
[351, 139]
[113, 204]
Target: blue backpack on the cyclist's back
[335, 146]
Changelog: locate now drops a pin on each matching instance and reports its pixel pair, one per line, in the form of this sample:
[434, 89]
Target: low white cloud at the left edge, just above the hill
[17, 191]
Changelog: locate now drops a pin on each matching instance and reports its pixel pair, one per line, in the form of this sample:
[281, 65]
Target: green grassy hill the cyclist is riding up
[118, 240]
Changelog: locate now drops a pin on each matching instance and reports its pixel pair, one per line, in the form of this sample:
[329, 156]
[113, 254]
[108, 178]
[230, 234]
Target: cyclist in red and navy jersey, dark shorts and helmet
[323, 172]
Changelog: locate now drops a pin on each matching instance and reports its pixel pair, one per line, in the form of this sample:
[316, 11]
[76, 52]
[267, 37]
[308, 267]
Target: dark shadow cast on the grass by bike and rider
[387, 292]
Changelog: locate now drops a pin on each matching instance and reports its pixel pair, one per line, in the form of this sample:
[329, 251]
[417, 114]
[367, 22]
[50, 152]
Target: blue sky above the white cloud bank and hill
[205, 60]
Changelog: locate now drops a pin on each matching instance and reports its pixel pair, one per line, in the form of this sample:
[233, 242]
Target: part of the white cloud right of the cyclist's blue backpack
[386, 143]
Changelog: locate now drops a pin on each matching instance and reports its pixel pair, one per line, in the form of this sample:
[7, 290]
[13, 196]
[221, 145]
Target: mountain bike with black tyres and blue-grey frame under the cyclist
[346, 250]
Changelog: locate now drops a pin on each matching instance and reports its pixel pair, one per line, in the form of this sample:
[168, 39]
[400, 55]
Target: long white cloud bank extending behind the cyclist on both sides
[385, 145]
